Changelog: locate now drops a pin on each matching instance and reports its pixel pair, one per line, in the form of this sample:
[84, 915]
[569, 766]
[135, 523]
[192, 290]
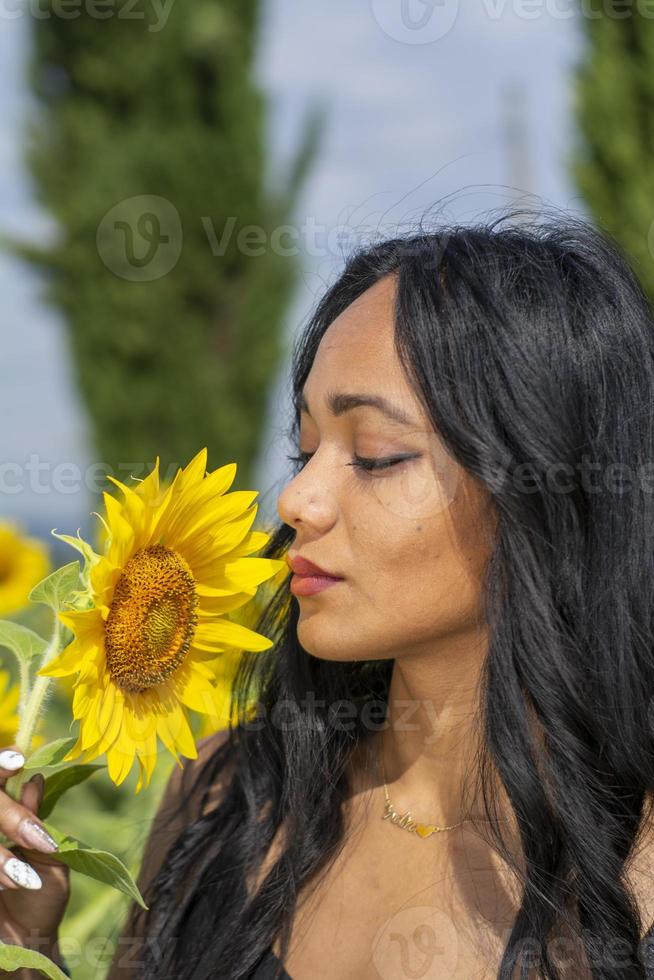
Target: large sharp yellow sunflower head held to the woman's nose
[153, 641]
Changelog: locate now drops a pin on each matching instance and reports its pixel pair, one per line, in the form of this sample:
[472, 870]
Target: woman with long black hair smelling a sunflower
[474, 436]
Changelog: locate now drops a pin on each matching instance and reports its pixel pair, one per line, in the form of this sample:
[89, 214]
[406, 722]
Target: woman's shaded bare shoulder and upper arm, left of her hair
[169, 821]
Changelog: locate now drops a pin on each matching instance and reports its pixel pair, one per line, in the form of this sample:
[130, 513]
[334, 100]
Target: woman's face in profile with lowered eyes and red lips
[408, 540]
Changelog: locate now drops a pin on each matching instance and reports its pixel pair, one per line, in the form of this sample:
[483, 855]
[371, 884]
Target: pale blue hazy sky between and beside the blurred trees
[409, 125]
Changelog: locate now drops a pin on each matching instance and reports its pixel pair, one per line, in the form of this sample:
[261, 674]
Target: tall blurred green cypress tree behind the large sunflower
[147, 146]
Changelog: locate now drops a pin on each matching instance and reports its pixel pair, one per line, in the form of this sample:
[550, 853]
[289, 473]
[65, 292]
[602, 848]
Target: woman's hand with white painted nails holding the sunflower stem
[29, 916]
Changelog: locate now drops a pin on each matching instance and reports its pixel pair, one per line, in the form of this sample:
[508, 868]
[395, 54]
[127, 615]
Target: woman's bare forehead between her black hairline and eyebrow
[357, 351]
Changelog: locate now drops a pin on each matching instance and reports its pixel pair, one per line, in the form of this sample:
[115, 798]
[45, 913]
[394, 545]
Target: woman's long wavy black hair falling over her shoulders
[531, 345]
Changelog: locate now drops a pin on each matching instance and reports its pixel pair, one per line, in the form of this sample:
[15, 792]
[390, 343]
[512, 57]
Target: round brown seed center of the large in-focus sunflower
[152, 619]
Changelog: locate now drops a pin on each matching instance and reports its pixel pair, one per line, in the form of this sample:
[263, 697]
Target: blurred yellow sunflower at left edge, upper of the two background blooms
[23, 562]
